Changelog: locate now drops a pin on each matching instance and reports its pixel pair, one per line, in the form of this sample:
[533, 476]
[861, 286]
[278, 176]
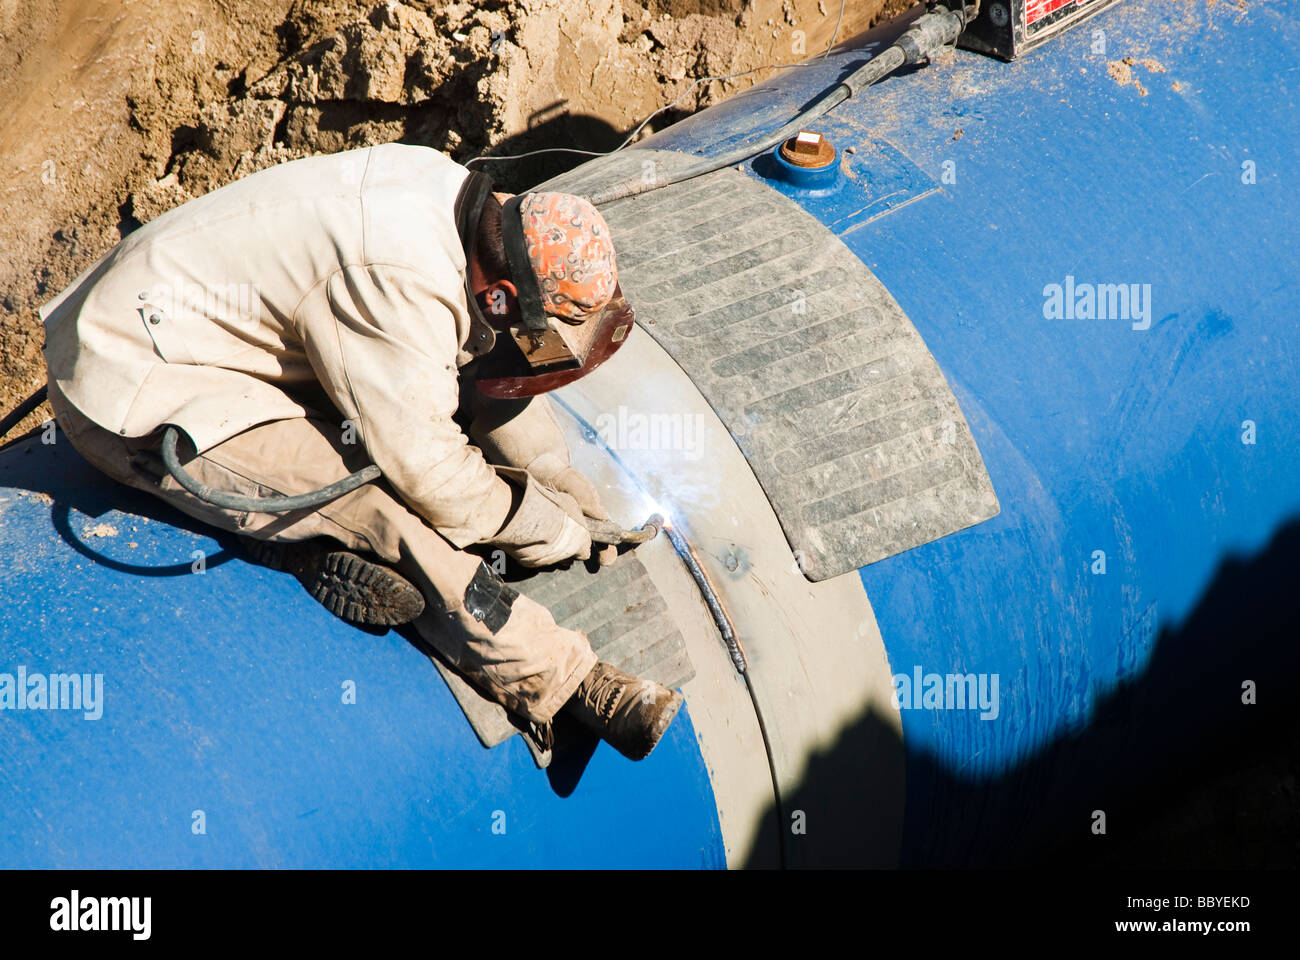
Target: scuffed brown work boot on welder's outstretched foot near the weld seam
[629, 713]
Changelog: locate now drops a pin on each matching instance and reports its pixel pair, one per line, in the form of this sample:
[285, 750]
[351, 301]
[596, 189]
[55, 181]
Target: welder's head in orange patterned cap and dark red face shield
[561, 314]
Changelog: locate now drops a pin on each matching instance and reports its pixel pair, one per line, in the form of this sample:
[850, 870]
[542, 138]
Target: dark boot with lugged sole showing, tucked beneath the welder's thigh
[352, 589]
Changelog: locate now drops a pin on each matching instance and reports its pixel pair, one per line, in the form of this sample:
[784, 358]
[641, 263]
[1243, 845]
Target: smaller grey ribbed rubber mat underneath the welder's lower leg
[625, 619]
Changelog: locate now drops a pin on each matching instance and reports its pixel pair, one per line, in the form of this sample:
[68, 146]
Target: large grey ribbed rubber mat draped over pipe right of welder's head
[818, 374]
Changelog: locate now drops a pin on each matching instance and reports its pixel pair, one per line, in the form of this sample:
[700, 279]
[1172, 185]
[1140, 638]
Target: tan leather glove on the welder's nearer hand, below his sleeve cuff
[545, 527]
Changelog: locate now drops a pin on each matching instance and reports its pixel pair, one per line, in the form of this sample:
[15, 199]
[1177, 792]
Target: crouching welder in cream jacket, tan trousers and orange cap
[378, 306]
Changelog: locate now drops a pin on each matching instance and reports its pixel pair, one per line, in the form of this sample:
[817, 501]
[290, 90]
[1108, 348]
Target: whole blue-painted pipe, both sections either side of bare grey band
[1133, 598]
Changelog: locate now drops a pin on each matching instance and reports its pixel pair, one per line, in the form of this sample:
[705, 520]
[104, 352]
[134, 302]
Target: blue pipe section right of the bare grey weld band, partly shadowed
[1137, 580]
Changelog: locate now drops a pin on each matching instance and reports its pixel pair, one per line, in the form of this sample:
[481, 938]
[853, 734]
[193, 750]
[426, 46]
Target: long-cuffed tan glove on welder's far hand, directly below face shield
[527, 435]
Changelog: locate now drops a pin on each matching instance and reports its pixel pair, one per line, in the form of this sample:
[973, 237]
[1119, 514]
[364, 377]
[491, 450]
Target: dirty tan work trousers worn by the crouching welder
[531, 665]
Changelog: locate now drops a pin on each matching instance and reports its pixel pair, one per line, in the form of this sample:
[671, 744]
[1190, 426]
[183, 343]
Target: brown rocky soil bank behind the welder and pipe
[118, 111]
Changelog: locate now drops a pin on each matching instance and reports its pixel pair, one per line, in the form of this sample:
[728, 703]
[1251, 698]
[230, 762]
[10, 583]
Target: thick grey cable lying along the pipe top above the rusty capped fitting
[930, 33]
